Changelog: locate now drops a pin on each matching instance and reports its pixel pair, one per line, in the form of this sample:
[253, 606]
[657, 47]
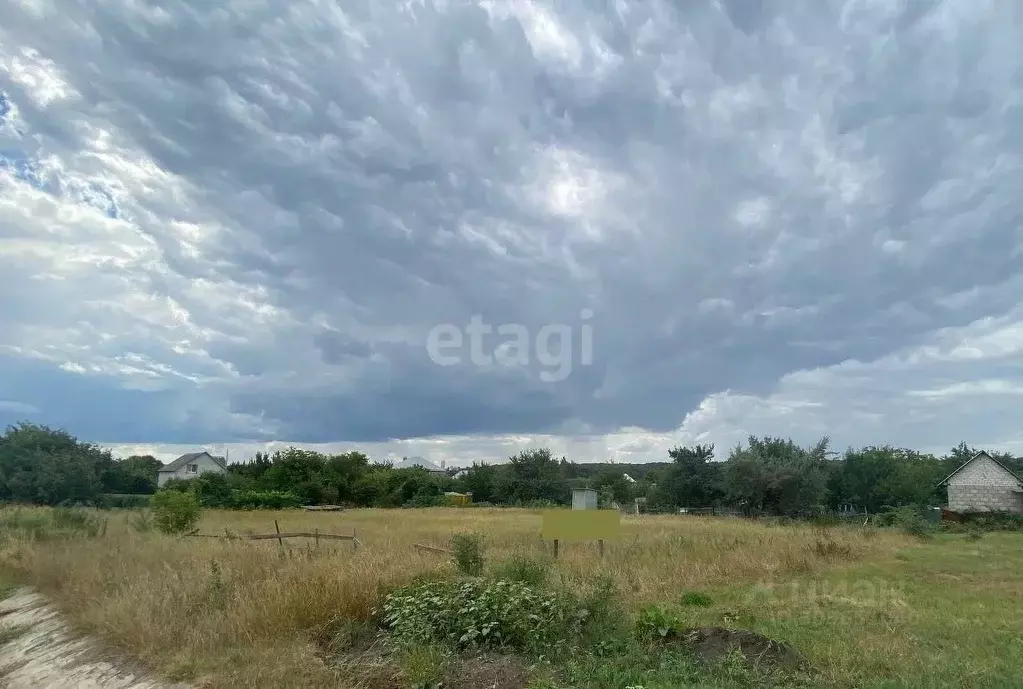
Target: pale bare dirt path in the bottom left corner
[39, 651]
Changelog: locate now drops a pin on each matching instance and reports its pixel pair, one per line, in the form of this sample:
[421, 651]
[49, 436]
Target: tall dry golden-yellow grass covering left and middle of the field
[246, 613]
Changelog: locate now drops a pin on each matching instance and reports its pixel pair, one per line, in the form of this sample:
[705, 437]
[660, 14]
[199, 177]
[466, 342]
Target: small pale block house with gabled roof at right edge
[984, 485]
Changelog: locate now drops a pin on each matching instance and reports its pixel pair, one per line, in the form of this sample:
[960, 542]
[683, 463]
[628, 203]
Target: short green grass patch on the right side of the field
[944, 614]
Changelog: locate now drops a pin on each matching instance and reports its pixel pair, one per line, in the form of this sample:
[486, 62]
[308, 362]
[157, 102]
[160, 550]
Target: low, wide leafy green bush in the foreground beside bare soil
[483, 614]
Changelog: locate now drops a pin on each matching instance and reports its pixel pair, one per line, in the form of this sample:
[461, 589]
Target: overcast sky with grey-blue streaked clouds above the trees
[237, 224]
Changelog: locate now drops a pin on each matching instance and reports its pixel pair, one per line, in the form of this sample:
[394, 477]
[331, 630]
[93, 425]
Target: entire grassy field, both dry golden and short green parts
[866, 608]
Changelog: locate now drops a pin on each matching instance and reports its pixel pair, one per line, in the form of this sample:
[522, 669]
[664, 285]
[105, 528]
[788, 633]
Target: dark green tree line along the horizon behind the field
[765, 476]
